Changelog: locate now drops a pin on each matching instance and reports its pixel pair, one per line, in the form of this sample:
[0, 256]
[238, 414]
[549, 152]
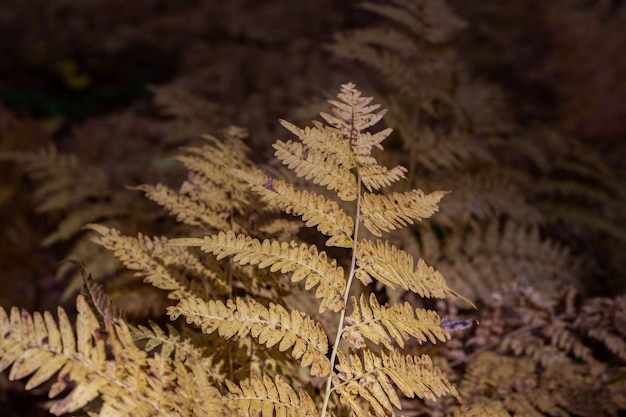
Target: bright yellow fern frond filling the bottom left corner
[129, 383]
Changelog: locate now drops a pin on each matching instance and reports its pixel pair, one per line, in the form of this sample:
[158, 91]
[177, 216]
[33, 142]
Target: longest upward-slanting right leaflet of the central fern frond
[385, 213]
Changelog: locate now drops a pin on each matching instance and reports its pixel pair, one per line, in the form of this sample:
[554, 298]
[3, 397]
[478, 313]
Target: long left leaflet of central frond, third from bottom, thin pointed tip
[304, 261]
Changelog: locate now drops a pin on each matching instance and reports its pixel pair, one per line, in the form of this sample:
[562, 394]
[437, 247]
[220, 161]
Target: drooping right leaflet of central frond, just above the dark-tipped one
[392, 266]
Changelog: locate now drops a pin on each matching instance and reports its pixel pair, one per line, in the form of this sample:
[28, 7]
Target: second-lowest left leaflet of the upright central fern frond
[271, 326]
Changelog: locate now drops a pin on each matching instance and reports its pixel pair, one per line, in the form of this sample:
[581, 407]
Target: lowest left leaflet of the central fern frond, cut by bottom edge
[266, 397]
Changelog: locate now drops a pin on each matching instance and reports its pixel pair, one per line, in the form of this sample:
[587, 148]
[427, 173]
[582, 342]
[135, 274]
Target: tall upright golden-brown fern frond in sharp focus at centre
[338, 157]
